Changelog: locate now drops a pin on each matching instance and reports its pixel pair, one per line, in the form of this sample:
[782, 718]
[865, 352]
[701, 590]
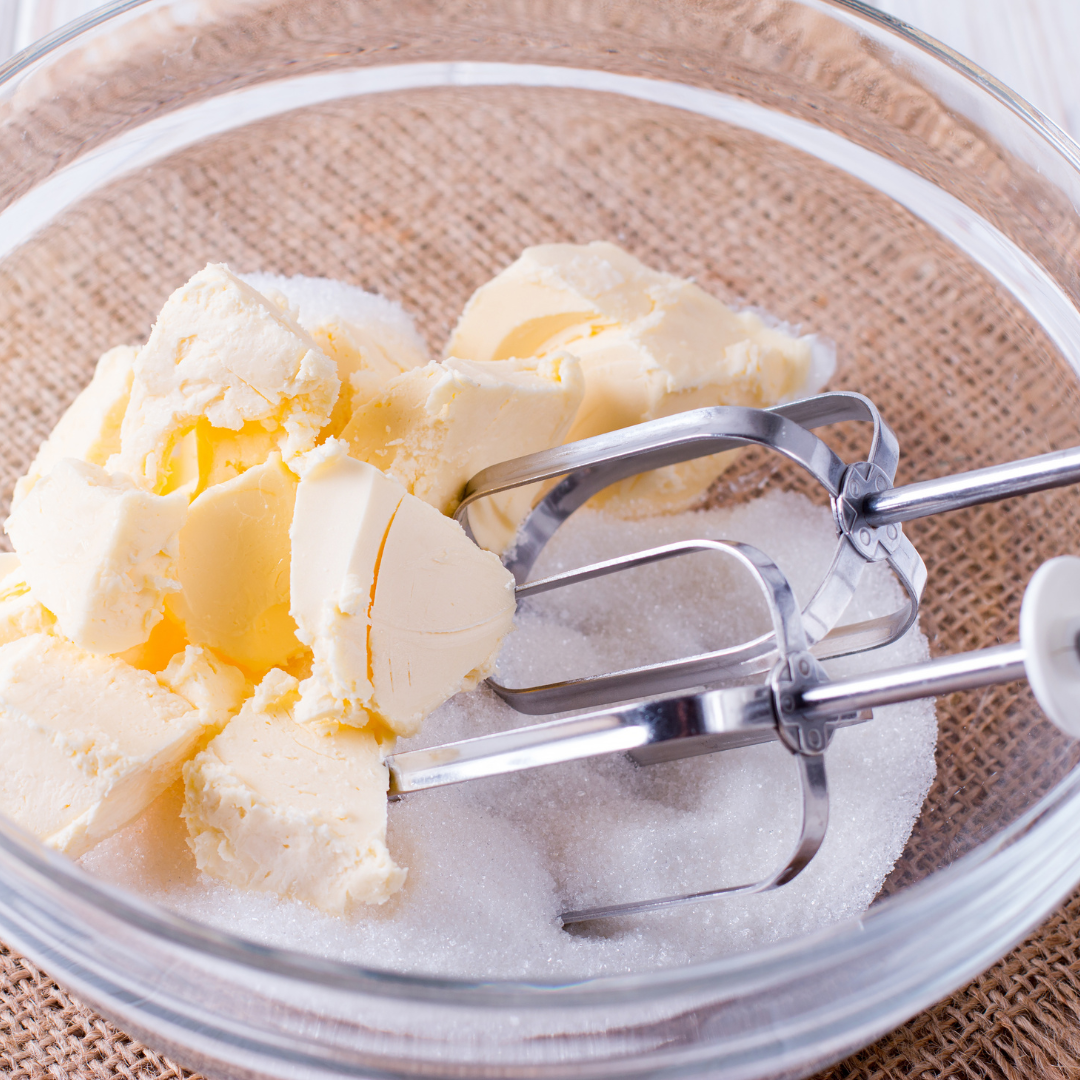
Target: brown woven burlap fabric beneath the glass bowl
[423, 198]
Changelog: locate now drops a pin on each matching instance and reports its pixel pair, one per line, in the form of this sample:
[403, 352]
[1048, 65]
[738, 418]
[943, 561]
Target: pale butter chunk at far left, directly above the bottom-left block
[99, 553]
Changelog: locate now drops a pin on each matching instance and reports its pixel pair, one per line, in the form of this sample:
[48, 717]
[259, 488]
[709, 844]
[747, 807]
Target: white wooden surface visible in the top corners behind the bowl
[1029, 45]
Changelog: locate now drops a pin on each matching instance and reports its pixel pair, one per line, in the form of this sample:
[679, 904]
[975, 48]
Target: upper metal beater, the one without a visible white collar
[868, 510]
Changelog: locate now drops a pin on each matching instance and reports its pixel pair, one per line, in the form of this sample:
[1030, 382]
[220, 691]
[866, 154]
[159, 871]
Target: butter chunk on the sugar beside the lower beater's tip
[281, 807]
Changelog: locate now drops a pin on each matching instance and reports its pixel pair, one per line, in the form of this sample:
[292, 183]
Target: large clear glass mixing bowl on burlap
[814, 158]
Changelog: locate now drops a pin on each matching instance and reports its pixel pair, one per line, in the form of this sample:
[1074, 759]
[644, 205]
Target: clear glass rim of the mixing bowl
[885, 920]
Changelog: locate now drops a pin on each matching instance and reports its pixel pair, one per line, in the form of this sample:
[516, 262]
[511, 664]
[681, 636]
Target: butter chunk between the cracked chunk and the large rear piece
[435, 428]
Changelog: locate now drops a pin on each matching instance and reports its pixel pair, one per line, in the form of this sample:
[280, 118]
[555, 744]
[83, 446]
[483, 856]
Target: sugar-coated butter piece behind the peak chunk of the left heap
[372, 340]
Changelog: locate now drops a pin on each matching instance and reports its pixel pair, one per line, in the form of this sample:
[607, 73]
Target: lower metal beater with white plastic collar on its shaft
[798, 706]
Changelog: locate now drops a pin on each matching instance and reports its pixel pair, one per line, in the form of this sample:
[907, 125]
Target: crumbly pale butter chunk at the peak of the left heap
[222, 352]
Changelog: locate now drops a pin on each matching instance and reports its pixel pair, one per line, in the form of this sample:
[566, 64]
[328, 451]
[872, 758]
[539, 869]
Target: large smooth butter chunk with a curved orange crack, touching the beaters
[401, 609]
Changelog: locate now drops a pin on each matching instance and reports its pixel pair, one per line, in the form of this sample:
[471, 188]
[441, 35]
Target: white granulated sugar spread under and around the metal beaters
[493, 862]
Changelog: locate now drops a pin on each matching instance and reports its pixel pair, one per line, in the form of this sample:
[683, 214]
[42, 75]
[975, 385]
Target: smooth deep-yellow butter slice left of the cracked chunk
[234, 569]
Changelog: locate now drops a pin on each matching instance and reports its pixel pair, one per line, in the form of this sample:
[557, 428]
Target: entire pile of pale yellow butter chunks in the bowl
[196, 523]
